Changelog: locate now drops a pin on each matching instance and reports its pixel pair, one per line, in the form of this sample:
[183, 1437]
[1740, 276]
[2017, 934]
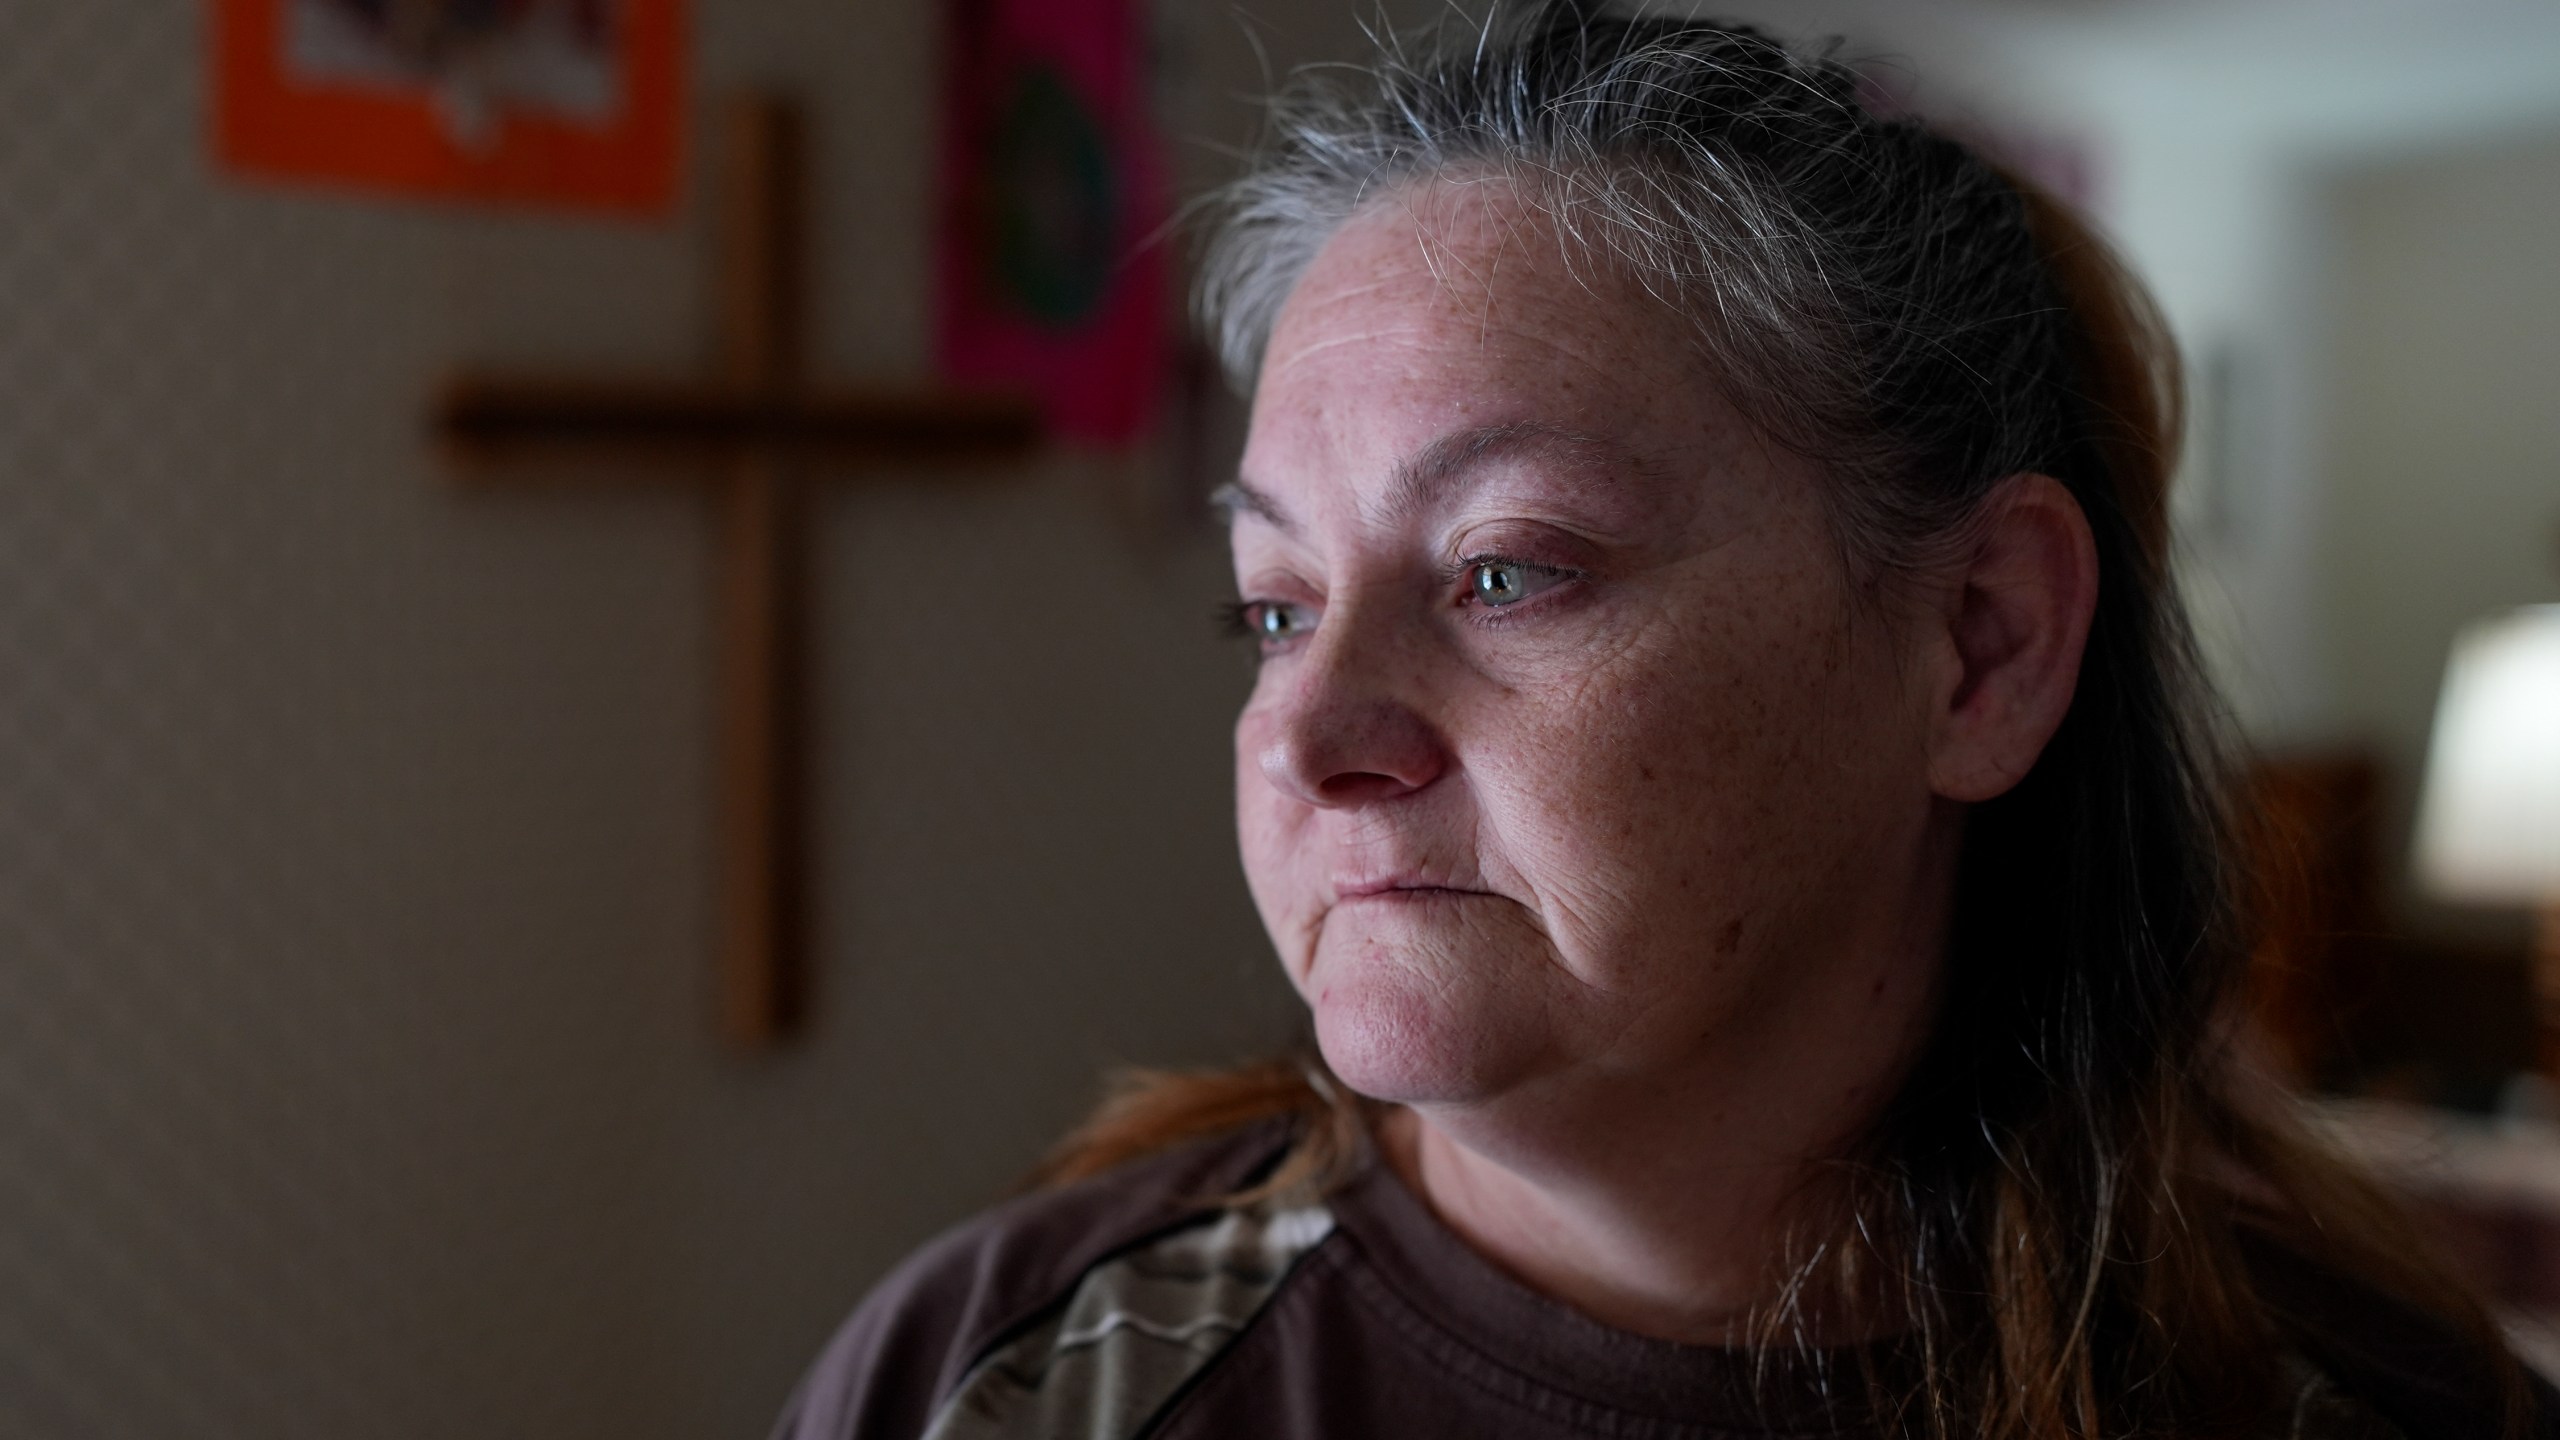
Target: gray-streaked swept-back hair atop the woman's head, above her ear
[1868, 291]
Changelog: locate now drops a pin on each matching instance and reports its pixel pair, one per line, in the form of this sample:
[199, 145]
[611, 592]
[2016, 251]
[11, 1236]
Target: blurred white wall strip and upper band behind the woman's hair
[2221, 127]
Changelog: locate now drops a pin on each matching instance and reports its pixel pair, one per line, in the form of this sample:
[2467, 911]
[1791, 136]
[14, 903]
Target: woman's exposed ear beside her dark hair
[2016, 621]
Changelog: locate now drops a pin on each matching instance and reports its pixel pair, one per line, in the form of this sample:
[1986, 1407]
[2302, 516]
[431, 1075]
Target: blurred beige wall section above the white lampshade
[2441, 424]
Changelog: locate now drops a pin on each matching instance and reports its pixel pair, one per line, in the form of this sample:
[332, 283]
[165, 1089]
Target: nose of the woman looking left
[1340, 734]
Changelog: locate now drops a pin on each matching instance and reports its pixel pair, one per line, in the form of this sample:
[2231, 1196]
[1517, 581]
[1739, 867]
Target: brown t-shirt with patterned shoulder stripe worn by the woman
[1133, 1305]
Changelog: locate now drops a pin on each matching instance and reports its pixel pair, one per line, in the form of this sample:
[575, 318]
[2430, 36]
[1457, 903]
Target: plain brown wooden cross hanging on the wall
[751, 429]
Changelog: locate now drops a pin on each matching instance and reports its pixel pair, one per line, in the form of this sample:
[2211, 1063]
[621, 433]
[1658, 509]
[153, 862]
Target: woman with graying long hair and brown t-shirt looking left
[1727, 783]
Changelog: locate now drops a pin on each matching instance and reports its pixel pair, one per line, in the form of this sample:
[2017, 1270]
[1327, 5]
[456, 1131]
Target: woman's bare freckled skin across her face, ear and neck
[1686, 819]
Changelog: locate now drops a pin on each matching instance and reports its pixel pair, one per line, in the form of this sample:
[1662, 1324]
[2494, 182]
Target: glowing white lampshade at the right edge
[2490, 819]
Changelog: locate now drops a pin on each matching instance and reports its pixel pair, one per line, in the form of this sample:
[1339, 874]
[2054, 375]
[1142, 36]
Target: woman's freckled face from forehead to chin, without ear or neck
[1573, 749]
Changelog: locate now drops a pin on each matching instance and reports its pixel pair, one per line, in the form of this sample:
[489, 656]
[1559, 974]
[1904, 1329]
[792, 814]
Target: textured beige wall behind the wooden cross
[355, 1067]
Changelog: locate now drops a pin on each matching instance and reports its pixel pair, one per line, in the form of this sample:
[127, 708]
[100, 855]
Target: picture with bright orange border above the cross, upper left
[570, 104]
